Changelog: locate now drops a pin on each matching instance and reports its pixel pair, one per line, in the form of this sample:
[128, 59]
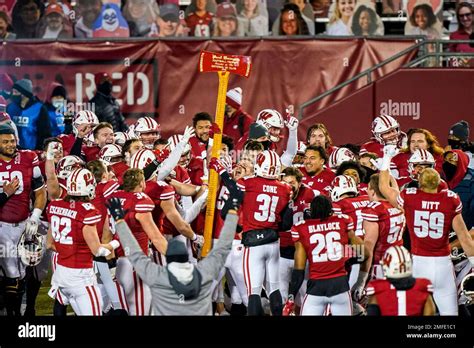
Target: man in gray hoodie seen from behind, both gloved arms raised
[179, 288]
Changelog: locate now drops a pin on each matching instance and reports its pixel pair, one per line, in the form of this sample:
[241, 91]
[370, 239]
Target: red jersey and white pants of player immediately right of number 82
[138, 294]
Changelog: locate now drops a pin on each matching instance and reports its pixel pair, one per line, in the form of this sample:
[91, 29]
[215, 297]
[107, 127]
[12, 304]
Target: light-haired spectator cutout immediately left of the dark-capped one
[140, 16]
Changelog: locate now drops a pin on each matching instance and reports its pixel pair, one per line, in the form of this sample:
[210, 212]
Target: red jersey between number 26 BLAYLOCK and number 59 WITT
[391, 223]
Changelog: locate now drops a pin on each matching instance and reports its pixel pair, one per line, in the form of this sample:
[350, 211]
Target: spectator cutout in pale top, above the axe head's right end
[252, 21]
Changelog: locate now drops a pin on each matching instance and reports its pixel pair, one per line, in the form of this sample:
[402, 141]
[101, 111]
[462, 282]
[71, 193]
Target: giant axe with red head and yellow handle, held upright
[223, 65]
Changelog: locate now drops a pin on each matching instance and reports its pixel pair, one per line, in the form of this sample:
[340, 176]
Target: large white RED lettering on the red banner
[134, 82]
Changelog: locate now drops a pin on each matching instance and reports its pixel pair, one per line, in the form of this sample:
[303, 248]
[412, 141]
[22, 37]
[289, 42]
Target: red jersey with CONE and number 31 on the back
[263, 202]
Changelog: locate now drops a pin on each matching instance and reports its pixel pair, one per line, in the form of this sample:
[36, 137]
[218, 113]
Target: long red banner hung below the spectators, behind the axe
[160, 77]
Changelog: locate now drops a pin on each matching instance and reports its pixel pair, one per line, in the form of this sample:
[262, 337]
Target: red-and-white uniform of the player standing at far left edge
[15, 212]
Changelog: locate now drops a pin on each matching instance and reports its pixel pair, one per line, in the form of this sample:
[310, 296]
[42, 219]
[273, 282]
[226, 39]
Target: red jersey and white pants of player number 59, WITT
[429, 219]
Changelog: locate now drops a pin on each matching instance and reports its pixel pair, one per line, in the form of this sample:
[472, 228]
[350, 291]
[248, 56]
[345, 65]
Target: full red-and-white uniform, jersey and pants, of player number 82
[74, 276]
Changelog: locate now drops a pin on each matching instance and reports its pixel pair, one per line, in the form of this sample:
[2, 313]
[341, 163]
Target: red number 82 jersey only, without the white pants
[67, 222]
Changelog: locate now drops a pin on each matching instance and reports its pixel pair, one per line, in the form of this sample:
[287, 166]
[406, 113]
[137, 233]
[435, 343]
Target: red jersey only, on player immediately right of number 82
[135, 203]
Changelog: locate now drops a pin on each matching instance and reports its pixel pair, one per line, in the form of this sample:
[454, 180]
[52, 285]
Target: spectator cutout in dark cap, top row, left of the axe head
[168, 24]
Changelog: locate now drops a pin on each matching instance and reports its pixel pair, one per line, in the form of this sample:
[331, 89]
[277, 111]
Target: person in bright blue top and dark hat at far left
[30, 116]
